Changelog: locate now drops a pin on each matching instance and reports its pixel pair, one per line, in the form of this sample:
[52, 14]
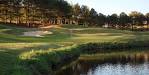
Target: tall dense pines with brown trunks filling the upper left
[31, 11]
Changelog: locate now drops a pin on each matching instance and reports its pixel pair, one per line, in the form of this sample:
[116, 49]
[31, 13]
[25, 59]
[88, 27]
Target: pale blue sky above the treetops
[115, 6]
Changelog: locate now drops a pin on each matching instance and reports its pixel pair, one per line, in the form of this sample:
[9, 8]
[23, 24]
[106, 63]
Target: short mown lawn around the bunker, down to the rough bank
[12, 43]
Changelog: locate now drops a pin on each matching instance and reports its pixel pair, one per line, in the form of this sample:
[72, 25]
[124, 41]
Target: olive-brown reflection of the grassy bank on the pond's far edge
[132, 54]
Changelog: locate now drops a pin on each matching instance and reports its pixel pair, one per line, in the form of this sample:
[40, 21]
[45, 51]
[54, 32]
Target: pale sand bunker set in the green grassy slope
[37, 33]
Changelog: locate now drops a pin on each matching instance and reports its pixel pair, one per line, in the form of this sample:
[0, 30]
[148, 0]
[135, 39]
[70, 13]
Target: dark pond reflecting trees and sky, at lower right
[110, 64]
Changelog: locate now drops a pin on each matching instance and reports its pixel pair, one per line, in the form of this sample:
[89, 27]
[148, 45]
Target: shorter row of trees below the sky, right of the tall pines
[133, 20]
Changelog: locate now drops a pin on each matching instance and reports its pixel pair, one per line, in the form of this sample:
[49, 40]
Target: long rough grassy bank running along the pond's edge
[46, 62]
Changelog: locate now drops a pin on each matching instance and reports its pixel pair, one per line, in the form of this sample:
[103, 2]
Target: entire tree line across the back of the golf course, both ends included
[34, 13]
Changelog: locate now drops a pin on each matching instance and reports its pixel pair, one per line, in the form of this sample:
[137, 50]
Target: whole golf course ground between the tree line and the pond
[63, 39]
